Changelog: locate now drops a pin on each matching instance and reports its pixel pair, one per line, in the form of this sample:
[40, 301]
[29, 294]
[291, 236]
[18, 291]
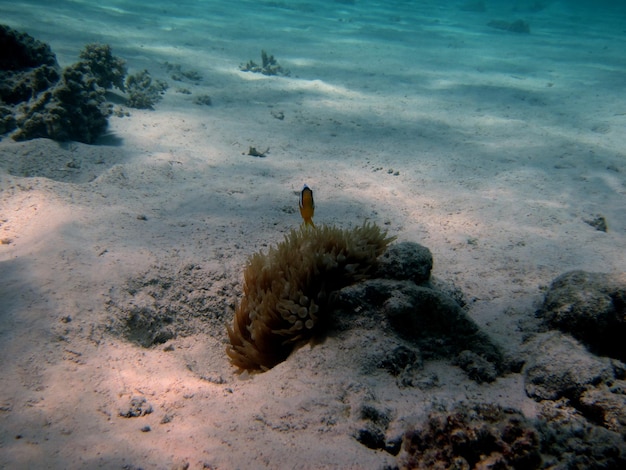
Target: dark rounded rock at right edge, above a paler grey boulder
[591, 307]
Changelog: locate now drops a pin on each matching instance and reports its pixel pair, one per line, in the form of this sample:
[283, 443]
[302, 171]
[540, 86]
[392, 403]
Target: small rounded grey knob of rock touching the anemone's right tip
[406, 261]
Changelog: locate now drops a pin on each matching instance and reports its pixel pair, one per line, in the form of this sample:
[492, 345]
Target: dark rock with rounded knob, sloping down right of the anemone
[424, 315]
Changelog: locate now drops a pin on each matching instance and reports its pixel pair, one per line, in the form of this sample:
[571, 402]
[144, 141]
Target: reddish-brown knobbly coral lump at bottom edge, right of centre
[478, 436]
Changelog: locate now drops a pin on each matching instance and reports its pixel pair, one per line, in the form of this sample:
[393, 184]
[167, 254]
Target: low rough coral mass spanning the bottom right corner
[480, 436]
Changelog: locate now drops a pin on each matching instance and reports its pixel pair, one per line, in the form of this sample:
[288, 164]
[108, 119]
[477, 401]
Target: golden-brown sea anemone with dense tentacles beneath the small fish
[287, 291]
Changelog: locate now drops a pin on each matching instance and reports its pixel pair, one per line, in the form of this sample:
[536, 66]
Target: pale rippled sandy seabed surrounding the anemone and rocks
[505, 144]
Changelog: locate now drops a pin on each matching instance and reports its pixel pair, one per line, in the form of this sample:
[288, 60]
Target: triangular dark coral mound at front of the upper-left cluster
[74, 109]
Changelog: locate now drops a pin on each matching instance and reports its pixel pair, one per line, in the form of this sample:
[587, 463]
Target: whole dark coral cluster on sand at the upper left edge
[44, 101]
